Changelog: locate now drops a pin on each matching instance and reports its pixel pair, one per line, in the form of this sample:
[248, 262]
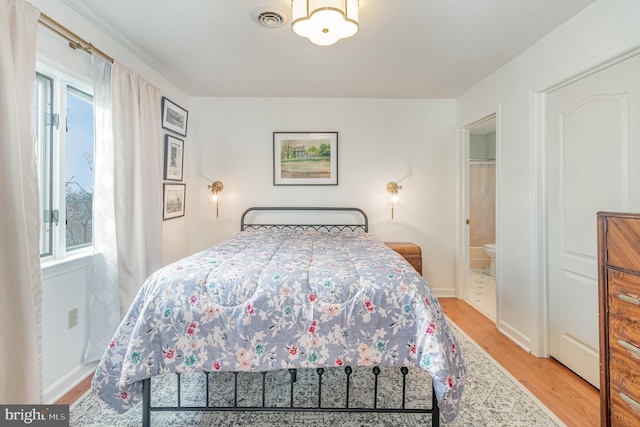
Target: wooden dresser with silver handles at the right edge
[619, 304]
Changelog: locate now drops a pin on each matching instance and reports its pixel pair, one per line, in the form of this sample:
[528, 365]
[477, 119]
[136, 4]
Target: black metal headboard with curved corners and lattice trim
[362, 224]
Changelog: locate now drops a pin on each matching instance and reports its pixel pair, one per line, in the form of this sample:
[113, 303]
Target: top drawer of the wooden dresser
[623, 241]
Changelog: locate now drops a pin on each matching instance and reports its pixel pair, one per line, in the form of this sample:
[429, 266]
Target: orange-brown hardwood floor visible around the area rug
[573, 400]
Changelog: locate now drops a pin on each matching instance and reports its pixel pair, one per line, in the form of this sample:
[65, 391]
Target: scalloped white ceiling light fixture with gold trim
[324, 22]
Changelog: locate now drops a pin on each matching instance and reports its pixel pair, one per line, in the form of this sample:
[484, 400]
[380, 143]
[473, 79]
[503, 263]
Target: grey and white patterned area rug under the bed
[492, 397]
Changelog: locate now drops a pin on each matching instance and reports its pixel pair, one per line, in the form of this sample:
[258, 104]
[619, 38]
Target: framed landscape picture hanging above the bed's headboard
[305, 158]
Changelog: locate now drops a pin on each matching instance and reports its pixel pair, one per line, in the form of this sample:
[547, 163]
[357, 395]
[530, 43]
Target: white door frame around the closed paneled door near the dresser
[539, 296]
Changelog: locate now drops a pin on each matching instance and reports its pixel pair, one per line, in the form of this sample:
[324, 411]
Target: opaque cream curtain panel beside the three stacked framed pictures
[138, 191]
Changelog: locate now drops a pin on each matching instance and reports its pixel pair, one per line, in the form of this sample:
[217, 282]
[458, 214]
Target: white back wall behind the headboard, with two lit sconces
[408, 141]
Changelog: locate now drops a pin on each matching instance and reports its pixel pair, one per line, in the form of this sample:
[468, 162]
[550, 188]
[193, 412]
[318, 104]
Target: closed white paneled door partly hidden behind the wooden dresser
[593, 164]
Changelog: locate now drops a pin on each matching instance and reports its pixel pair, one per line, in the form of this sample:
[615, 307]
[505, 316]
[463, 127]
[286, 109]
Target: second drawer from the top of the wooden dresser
[624, 295]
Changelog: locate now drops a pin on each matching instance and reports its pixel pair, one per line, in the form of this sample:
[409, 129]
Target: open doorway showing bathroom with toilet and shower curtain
[481, 217]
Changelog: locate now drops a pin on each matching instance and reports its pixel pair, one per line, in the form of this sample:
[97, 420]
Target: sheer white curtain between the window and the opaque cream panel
[105, 298]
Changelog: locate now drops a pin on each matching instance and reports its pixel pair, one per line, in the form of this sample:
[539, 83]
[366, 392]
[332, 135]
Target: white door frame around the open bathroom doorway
[462, 208]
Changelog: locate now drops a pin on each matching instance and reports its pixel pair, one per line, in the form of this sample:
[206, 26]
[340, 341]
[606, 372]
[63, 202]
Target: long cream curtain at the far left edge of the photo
[21, 283]
